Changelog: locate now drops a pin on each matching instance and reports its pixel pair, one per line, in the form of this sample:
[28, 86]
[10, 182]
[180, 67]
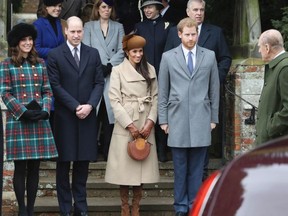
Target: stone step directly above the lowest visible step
[97, 187]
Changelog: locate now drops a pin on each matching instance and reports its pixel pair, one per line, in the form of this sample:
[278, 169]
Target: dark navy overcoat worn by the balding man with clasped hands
[76, 139]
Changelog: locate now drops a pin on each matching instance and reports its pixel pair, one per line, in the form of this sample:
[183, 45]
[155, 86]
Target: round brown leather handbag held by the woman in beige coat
[138, 149]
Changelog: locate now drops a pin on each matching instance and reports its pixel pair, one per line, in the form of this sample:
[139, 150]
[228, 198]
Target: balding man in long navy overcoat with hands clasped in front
[76, 78]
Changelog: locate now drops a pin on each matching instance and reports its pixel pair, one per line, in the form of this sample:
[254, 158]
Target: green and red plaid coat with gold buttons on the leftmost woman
[19, 86]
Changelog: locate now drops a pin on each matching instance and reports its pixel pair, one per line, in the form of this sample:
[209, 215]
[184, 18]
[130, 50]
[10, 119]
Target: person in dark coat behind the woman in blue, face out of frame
[69, 8]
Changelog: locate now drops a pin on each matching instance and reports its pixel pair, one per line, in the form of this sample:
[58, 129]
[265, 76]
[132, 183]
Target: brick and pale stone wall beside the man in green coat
[245, 80]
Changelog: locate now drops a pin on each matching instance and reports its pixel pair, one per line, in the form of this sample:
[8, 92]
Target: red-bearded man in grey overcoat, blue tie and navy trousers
[188, 102]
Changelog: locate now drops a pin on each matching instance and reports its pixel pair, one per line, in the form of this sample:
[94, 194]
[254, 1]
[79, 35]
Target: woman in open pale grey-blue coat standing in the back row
[106, 36]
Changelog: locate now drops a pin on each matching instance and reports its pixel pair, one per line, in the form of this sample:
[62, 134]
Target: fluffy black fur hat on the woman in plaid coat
[20, 31]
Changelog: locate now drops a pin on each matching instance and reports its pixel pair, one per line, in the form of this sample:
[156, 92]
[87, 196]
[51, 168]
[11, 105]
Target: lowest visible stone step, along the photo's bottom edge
[158, 206]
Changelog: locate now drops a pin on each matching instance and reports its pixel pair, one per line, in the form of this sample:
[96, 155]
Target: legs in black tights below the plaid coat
[32, 180]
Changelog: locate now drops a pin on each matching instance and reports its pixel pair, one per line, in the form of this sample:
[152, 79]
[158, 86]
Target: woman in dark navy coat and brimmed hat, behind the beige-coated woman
[155, 32]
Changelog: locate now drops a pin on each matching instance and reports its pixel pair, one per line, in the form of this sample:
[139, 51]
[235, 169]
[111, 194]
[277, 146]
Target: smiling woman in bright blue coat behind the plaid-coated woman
[49, 34]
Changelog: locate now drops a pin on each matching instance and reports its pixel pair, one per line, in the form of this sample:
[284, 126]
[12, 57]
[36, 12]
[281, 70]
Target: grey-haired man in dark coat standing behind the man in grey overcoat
[210, 37]
